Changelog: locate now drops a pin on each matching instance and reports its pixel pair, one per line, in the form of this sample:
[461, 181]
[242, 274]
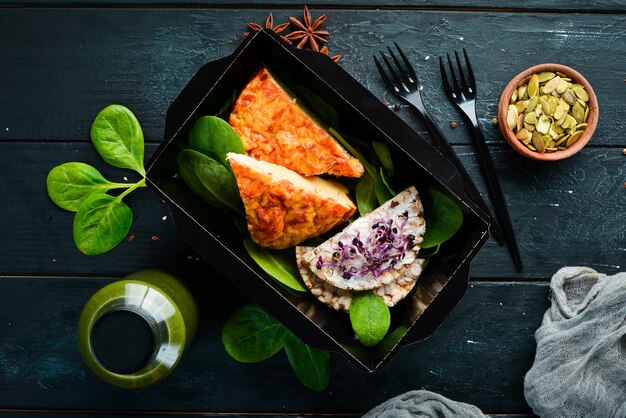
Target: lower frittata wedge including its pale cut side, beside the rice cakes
[282, 207]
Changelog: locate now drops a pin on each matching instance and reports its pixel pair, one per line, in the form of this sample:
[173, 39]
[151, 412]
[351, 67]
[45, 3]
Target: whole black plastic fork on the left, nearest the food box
[403, 82]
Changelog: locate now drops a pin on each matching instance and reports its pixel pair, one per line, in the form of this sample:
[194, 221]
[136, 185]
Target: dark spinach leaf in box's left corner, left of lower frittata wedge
[210, 180]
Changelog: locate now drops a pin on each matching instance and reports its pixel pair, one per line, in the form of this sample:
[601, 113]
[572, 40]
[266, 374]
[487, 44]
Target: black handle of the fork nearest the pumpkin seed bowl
[497, 197]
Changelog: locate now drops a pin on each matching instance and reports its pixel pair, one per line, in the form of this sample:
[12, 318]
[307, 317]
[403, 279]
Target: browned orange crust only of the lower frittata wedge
[281, 215]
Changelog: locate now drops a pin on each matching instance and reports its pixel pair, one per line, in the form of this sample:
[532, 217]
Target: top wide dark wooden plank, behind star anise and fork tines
[61, 66]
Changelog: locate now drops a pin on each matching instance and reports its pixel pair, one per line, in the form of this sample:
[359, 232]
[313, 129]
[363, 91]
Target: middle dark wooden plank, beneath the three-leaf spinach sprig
[557, 210]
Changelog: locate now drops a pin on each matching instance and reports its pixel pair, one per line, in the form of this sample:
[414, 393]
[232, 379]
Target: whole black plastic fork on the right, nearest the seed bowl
[462, 92]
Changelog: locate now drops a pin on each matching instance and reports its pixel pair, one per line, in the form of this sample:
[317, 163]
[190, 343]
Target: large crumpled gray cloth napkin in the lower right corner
[580, 365]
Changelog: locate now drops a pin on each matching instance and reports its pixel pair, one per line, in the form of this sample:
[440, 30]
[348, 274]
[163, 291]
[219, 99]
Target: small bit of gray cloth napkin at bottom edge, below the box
[423, 404]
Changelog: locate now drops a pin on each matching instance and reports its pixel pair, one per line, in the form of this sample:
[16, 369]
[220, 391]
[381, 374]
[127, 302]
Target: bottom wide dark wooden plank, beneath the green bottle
[479, 355]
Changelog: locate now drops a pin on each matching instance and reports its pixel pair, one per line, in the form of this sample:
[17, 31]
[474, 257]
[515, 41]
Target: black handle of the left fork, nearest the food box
[470, 188]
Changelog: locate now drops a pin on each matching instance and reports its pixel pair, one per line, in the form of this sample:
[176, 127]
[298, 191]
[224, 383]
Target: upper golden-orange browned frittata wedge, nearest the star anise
[274, 129]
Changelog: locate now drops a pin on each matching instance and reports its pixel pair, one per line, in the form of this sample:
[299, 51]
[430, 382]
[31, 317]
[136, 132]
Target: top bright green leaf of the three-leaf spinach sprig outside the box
[117, 136]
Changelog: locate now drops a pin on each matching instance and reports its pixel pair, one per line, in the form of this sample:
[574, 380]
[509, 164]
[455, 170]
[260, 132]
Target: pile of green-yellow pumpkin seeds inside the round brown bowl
[548, 112]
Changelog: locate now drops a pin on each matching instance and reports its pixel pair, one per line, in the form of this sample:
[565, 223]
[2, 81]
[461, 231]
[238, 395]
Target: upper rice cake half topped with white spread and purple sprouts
[375, 249]
